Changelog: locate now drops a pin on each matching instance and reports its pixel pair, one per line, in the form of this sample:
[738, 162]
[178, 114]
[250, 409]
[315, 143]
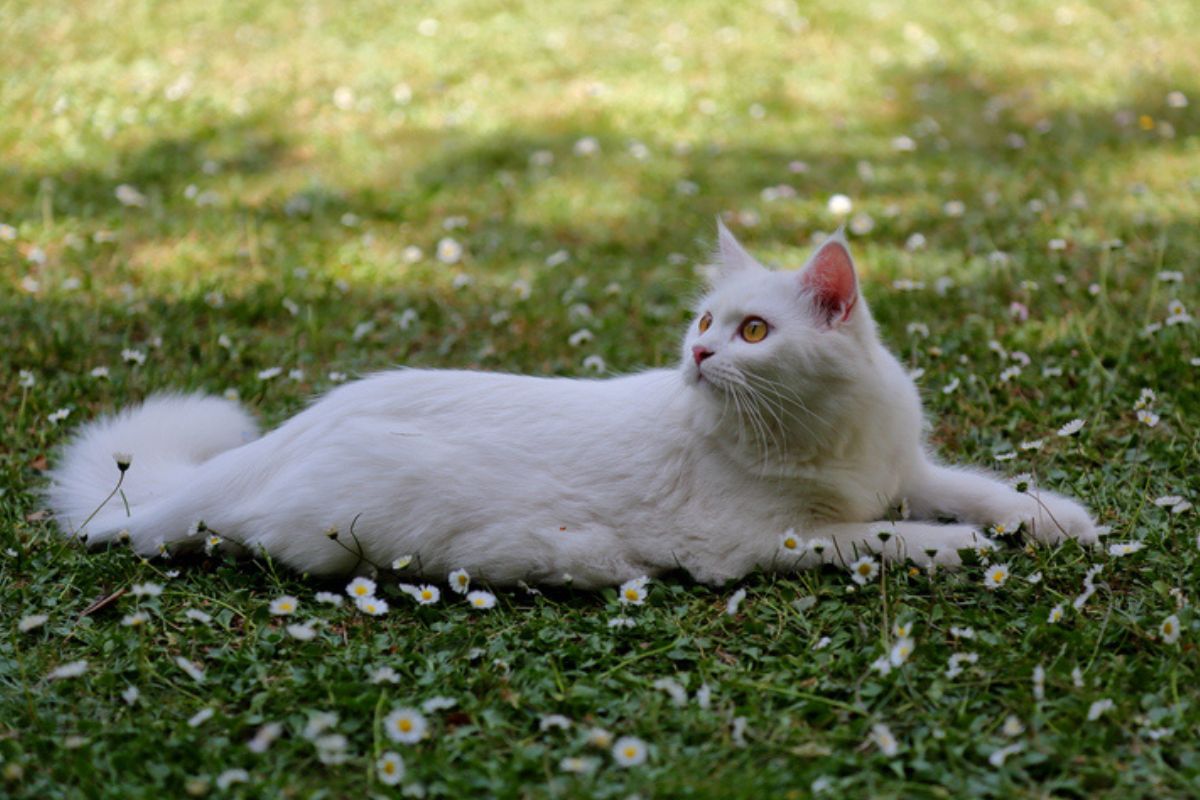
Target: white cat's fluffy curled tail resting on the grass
[166, 438]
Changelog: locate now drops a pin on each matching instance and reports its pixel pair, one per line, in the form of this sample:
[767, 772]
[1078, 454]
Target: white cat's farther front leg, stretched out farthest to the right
[976, 497]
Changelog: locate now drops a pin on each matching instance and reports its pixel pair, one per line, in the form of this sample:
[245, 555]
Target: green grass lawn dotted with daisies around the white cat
[295, 169]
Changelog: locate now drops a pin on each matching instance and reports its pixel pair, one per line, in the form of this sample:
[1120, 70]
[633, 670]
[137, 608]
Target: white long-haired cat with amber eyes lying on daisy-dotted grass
[785, 413]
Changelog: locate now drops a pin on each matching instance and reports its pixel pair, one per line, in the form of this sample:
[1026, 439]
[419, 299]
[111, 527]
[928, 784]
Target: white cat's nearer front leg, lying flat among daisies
[923, 543]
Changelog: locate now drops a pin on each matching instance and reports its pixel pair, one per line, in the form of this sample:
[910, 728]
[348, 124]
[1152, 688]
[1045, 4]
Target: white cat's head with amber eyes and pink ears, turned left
[805, 336]
